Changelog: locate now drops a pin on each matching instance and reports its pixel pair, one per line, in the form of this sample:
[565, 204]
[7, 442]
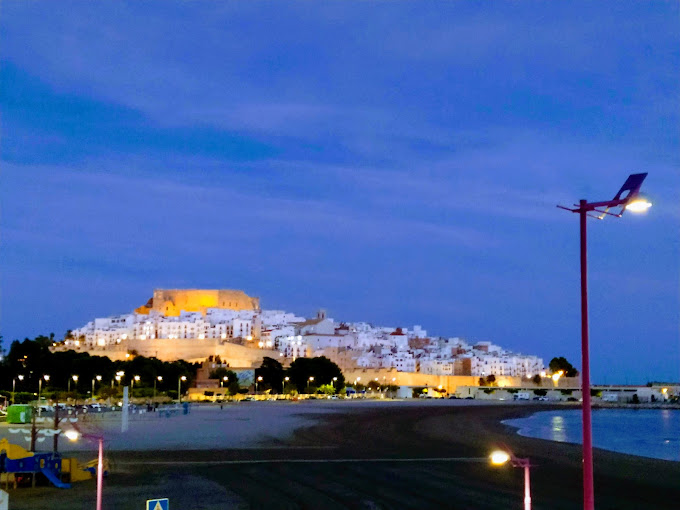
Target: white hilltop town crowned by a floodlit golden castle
[194, 324]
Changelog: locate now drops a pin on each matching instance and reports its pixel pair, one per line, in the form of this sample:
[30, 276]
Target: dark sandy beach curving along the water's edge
[363, 455]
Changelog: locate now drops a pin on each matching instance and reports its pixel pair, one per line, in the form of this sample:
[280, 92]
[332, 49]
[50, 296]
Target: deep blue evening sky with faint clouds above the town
[393, 162]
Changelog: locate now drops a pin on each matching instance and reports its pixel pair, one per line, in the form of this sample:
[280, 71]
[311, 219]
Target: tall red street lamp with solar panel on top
[633, 202]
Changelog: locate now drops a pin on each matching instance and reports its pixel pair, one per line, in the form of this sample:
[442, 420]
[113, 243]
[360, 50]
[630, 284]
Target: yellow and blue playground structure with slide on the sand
[17, 463]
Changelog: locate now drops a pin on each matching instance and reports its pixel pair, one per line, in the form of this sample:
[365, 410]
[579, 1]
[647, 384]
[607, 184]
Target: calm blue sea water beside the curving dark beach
[645, 432]
